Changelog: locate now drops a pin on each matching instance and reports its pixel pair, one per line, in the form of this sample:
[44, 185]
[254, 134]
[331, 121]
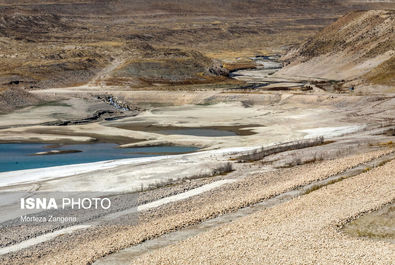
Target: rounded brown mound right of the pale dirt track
[168, 66]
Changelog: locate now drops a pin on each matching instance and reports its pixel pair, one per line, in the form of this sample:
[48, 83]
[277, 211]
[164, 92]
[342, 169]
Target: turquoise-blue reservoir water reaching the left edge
[21, 155]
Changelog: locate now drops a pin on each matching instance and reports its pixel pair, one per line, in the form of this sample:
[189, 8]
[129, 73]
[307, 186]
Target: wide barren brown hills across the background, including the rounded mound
[69, 42]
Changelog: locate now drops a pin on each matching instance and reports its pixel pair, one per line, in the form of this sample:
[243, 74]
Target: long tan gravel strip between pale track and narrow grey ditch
[197, 208]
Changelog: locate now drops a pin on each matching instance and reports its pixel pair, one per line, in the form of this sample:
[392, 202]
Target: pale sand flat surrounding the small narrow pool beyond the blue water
[270, 123]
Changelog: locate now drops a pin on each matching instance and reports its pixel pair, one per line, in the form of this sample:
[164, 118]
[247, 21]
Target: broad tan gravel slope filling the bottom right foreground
[302, 231]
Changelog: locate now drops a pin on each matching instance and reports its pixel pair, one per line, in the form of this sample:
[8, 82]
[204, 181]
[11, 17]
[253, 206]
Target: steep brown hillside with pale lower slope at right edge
[360, 45]
